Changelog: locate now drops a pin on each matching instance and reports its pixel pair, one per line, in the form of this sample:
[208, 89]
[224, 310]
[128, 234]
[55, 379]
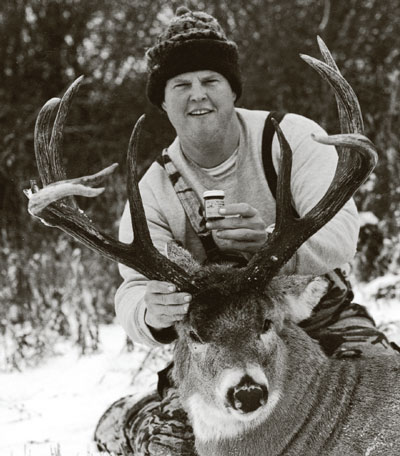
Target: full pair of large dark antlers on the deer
[357, 158]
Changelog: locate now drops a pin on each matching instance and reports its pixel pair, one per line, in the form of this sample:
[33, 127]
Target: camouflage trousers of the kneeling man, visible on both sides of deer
[157, 425]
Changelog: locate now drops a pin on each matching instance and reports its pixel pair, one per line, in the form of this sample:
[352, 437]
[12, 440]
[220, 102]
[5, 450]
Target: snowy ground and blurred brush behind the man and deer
[62, 360]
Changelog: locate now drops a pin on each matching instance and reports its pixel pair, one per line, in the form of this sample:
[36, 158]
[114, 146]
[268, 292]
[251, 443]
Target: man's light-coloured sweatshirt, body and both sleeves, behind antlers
[312, 172]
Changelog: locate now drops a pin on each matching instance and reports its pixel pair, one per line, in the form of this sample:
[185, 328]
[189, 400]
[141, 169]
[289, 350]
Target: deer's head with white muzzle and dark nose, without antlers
[232, 353]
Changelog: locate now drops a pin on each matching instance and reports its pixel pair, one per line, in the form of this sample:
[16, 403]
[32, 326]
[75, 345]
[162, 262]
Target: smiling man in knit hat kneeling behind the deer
[194, 77]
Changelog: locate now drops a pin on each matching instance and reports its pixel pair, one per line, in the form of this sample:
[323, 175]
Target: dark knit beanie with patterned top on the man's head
[193, 41]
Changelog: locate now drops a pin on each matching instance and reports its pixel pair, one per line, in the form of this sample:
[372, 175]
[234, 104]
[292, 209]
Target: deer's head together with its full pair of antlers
[234, 343]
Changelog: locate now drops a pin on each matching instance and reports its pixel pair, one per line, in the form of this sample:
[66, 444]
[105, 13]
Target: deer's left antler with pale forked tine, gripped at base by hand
[55, 205]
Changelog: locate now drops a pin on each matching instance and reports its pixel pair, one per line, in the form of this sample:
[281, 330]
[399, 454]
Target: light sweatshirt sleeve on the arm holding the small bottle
[313, 168]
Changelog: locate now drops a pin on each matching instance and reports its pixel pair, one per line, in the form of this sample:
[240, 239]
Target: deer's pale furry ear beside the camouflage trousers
[298, 294]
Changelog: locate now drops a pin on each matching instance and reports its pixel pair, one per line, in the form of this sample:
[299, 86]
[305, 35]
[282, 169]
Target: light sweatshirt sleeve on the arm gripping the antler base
[129, 299]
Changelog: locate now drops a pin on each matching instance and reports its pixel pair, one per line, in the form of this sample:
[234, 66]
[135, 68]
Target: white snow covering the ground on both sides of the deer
[60, 402]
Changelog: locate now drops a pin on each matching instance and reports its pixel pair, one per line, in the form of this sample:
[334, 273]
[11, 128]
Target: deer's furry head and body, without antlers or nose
[316, 405]
